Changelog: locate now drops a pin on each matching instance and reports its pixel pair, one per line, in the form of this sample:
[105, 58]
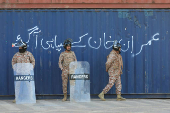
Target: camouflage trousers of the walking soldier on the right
[113, 78]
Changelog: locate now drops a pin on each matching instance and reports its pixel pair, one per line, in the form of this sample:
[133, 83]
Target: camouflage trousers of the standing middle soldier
[64, 76]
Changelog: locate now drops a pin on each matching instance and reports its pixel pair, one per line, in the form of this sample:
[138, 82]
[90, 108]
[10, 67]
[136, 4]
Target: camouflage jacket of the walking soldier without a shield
[114, 62]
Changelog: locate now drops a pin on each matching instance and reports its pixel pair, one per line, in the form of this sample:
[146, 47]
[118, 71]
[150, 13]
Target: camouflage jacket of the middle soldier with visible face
[65, 59]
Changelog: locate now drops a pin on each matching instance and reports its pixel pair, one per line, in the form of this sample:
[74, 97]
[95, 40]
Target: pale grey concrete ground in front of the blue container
[95, 106]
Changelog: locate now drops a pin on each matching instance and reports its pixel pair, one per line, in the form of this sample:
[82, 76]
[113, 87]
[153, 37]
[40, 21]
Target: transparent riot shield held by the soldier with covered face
[24, 83]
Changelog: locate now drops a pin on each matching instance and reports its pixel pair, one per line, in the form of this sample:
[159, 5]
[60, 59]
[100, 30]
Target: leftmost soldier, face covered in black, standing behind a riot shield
[23, 56]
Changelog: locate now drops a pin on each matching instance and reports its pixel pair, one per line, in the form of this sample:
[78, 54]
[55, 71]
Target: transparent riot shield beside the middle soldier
[79, 76]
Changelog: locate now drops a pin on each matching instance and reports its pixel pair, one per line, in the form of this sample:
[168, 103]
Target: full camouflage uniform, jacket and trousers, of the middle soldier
[64, 60]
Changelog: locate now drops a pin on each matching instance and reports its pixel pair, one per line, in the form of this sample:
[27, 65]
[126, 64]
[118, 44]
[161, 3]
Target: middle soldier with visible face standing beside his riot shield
[65, 59]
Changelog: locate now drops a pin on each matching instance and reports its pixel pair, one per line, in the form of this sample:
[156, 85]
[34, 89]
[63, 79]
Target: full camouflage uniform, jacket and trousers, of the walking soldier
[114, 66]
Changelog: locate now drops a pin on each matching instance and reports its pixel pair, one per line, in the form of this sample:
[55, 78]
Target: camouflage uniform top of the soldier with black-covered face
[25, 57]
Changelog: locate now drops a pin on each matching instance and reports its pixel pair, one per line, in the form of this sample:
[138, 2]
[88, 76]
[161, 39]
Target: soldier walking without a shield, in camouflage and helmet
[114, 66]
